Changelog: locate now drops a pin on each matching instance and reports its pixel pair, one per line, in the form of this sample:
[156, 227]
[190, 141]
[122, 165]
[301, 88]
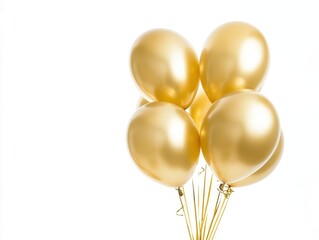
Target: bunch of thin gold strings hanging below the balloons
[203, 208]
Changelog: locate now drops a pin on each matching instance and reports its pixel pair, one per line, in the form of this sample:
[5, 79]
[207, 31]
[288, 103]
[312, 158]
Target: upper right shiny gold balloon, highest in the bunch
[234, 57]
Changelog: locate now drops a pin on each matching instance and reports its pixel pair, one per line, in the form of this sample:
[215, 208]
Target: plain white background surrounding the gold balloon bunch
[67, 96]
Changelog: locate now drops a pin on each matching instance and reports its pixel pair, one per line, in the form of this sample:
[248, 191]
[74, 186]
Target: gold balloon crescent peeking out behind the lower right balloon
[265, 170]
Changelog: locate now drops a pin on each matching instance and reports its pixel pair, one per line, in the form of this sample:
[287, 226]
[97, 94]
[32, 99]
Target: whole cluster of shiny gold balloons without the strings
[236, 128]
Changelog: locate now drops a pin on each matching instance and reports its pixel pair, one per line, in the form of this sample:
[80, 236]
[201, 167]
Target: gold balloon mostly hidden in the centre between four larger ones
[199, 109]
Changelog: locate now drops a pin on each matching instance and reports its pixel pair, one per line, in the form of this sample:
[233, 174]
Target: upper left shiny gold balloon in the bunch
[165, 67]
